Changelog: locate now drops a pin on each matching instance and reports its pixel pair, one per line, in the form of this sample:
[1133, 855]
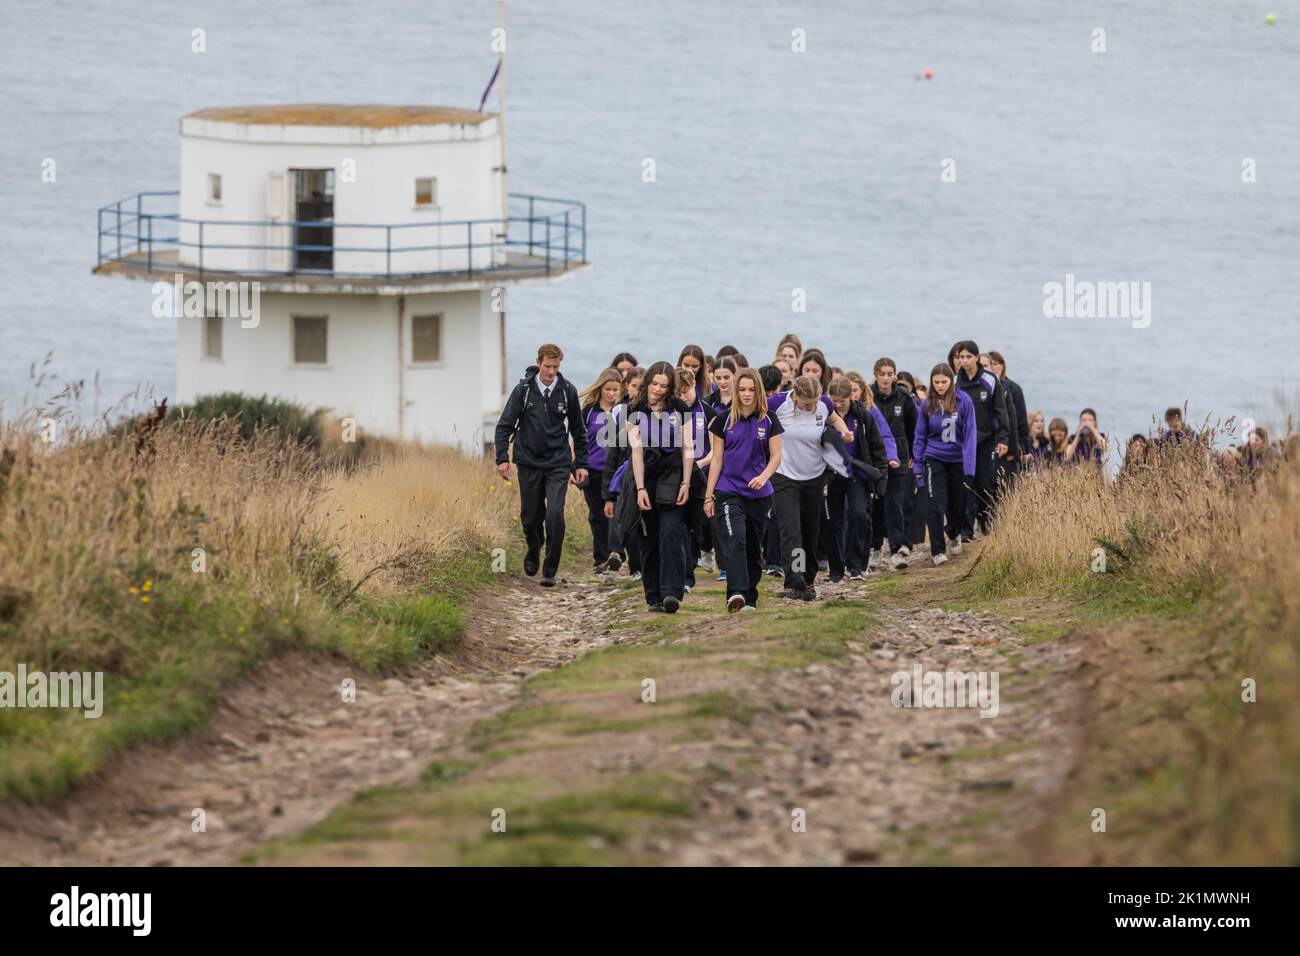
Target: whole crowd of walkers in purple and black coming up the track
[788, 469]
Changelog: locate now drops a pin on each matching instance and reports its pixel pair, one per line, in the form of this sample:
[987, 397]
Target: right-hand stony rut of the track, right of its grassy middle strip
[835, 775]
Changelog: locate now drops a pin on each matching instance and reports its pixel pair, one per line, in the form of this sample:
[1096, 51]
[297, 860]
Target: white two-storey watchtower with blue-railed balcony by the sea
[379, 241]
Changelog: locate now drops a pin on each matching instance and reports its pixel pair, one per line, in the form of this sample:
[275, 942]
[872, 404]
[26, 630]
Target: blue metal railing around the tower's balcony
[545, 235]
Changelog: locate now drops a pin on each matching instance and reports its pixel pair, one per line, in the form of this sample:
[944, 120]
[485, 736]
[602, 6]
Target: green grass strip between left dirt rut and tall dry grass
[189, 644]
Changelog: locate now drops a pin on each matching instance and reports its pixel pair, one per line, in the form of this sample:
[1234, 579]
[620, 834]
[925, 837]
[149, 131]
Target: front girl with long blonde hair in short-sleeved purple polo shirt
[747, 451]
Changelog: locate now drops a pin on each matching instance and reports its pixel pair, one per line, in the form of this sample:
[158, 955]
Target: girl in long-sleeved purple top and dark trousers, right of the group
[944, 458]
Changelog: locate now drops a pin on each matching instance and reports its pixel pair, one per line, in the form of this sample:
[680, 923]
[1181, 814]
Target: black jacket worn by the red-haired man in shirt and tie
[543, 429]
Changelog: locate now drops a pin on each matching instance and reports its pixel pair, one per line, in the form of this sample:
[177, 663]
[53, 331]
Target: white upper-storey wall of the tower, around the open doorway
[387, 165]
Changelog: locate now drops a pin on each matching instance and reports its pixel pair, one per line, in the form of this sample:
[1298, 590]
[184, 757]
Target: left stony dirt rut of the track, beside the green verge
[284, 749]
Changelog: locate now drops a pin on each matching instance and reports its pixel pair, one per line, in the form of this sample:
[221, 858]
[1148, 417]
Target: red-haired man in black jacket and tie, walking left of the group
[543, 417]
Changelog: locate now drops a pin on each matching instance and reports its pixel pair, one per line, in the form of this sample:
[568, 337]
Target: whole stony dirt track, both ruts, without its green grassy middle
[873, 784]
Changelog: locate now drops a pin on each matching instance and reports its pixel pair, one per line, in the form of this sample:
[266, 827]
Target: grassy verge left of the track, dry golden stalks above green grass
[175, 557]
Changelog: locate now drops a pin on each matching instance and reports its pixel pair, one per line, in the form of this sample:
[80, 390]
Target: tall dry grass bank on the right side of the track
[1197, 539]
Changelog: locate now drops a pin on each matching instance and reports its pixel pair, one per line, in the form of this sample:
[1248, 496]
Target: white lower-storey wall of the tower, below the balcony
[454, 401]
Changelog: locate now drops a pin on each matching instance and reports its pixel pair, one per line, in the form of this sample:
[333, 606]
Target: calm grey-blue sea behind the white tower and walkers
[775, 171]
